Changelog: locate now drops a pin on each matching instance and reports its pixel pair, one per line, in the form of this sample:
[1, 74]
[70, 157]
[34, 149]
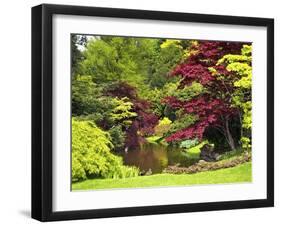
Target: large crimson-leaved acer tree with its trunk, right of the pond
[214, 106]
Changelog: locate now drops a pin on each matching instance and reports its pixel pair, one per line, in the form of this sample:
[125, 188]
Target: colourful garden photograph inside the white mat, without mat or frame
[157, 112]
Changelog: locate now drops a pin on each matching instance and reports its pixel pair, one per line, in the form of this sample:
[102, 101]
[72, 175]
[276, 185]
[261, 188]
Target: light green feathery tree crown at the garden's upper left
[110, 59]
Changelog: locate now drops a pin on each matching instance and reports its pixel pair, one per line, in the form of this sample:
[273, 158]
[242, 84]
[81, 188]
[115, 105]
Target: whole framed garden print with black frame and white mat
[146, 112]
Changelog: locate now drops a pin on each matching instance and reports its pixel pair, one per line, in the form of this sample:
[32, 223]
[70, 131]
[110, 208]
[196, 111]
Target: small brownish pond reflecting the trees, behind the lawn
[154, 158]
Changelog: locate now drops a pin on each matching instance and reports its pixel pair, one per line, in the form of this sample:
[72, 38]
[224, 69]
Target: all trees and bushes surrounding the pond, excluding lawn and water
[183, 92]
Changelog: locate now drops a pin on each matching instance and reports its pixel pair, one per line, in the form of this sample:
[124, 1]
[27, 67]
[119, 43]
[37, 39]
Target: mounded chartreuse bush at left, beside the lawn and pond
[91, 155]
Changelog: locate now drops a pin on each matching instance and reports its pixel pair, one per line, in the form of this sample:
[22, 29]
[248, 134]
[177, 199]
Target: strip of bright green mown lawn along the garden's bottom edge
[240, 173]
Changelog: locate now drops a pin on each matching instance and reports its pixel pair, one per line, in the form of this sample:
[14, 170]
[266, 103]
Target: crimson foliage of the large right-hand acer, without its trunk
[212, 107]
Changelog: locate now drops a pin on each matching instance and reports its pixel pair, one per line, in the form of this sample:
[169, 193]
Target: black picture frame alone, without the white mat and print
[42, 111]
